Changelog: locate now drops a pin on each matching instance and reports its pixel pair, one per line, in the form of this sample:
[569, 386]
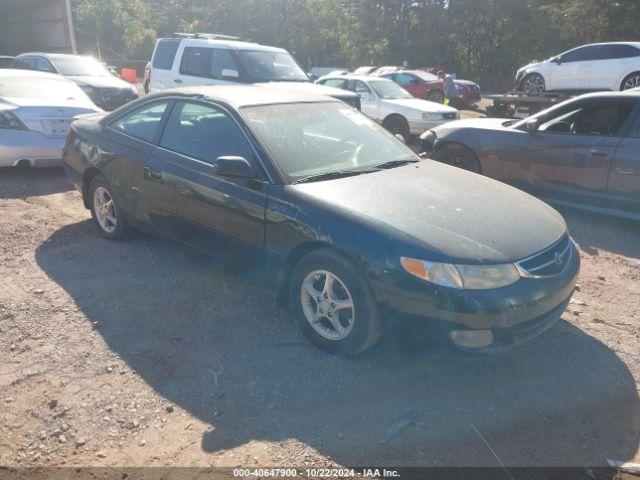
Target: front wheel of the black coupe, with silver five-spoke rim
[336, 308]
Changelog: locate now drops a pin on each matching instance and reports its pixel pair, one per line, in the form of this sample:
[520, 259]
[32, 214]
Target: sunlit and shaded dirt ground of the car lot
[147, 353]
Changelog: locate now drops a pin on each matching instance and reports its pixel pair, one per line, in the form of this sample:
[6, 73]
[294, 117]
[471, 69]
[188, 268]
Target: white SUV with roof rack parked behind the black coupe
[207, 59]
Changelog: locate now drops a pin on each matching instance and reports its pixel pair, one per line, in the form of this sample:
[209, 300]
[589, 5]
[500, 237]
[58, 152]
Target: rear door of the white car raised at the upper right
[615, 61]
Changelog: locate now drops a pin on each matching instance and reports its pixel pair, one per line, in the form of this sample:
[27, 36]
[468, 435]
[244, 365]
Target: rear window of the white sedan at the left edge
[43, 88]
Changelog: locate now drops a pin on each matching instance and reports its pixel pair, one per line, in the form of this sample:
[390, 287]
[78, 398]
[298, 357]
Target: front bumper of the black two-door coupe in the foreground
[515, 314]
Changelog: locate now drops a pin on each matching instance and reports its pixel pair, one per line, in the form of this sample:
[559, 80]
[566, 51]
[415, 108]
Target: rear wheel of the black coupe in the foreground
[106, 213]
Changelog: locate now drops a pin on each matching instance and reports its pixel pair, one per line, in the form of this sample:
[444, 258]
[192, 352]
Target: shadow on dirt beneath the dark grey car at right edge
[594, 232]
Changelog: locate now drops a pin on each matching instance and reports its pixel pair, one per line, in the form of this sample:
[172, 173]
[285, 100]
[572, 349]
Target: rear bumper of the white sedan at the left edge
[37, 148]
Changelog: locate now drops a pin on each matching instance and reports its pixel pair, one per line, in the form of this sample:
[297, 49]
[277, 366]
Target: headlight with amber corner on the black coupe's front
[474, 277]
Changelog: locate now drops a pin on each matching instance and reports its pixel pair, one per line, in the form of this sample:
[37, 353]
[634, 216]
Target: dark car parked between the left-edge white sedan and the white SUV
[103, 88]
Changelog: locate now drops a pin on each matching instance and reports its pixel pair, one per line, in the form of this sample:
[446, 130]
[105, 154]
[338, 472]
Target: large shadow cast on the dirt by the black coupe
[213, 342]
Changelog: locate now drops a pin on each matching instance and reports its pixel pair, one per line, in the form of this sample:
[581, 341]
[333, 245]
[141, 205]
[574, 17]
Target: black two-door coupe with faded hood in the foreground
[343, 218]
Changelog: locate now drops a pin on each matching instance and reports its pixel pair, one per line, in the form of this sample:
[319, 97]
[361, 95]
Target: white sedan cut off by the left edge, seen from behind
[36, 110]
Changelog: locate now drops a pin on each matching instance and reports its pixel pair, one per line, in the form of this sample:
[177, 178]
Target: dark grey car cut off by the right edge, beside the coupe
[583, 153]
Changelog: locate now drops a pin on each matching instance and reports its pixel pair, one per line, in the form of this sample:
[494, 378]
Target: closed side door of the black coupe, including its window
[220, 215]
